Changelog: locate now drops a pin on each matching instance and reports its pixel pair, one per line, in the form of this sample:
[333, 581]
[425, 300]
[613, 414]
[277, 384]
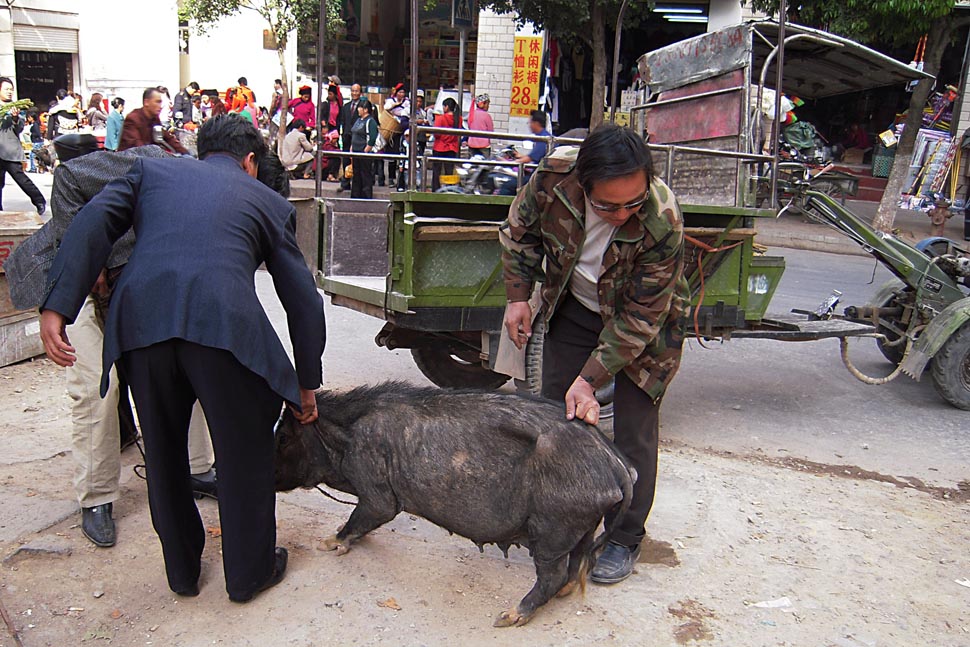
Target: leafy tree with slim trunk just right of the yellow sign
[577, 21]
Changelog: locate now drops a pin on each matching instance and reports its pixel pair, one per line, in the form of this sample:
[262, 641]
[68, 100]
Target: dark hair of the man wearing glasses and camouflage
[610, 152]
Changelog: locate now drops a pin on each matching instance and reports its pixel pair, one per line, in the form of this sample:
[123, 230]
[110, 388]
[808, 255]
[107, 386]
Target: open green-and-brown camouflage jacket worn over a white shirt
[643, 294]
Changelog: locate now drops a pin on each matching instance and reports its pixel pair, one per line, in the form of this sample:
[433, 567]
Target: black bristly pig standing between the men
[492, 467]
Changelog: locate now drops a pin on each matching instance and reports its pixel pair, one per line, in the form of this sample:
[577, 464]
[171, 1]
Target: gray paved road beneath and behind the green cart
[785, 399]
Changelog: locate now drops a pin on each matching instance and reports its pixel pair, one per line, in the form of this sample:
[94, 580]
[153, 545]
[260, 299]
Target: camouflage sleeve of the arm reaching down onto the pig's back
[642, 309]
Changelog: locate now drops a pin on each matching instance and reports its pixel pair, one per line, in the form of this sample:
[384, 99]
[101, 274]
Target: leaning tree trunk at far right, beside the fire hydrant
[937, 40]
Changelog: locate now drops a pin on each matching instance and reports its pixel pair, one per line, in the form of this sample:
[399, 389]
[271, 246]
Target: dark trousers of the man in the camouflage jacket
[570, 339]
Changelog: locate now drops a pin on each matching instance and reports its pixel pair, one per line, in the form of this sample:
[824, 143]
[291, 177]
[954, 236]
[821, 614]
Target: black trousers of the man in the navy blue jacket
[166, 379]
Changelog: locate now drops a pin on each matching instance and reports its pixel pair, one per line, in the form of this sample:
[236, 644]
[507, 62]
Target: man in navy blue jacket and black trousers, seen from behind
[185, 323]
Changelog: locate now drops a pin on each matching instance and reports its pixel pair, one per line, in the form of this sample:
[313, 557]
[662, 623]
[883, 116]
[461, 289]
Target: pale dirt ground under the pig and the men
[744, 550]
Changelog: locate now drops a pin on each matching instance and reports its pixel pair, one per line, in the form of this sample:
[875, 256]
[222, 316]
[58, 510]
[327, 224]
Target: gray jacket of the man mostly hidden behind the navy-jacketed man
[75, 183]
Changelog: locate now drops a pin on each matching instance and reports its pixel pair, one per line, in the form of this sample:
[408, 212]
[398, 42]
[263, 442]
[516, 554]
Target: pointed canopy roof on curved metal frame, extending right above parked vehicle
[814, 70]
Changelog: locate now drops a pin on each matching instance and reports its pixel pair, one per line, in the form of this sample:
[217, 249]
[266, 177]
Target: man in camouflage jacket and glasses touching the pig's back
[606, 238]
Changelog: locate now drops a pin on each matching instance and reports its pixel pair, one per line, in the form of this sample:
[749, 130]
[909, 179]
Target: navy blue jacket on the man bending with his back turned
[201, 231]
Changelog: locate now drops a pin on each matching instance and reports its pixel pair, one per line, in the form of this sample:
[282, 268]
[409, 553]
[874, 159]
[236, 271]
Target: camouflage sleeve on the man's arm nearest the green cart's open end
[521, 240]
